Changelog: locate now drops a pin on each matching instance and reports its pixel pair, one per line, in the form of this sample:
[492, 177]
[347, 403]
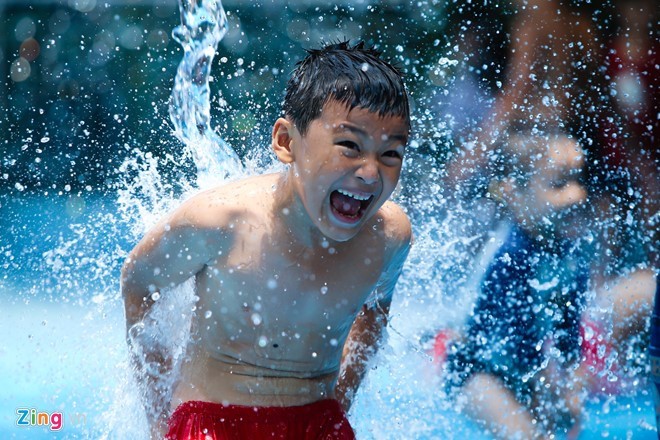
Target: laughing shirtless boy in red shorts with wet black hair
[294, 271]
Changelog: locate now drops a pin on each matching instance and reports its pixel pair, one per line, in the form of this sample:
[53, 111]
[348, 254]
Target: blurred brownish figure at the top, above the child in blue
[553, 53]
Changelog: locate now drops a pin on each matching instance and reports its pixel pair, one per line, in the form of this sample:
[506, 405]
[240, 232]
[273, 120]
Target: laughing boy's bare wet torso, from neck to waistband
[272, 314]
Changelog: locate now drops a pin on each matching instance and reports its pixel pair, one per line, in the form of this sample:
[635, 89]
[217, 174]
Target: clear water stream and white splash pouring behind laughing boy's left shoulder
[145, 196]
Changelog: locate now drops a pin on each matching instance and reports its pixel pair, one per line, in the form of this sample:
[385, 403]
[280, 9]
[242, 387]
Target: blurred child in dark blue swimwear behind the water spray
[523, 335]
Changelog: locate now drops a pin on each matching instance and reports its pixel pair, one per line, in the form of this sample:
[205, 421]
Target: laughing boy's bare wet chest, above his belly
[278, 283]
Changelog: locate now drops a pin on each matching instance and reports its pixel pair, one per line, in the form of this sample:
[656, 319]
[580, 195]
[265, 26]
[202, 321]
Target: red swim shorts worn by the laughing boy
[322, 420]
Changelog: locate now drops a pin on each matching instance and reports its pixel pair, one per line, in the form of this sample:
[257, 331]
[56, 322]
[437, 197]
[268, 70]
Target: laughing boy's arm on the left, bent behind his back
[173, 251]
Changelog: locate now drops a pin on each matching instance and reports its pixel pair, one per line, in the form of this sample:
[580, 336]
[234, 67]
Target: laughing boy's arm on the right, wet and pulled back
[366, 334]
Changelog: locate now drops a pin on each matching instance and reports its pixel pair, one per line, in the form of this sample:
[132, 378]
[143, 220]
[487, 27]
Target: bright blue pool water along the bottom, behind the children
[64, 348]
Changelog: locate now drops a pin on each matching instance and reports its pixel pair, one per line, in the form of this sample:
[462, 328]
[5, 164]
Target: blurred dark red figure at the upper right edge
[631, 136]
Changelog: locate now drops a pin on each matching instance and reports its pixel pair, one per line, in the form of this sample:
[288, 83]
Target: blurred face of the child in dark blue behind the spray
[550, 199]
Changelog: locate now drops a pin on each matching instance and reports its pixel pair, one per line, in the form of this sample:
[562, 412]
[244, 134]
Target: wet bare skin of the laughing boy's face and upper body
[281, 269]
